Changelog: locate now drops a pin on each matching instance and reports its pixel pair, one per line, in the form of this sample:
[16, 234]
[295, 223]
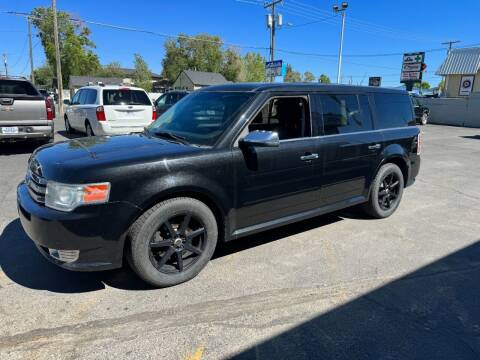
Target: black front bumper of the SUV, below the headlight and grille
[98, 232]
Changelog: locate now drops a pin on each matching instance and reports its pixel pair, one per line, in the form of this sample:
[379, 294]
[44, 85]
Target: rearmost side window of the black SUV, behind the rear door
[393, 110]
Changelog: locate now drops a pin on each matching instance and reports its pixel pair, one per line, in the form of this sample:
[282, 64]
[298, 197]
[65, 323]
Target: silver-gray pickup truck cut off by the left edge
[24, 113]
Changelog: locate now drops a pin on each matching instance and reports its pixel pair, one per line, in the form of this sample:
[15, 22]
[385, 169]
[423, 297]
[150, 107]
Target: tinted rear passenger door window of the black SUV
[343, 114]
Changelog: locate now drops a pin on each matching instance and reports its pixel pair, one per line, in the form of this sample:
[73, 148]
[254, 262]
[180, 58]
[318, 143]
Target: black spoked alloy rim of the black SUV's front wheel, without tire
[177, 244]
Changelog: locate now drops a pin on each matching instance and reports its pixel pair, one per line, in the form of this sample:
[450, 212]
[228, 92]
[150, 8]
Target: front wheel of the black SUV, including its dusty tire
[165, 248]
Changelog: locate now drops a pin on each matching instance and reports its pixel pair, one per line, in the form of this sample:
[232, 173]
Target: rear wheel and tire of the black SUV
[386, 192]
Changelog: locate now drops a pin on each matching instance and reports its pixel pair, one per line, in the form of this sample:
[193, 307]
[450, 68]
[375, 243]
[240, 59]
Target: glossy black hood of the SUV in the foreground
[61, 161]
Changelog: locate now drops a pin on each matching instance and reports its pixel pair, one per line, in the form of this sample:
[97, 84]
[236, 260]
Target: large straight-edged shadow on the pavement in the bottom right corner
[432, 313]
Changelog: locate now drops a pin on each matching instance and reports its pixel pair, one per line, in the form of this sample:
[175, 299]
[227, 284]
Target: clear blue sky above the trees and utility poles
[372, 27]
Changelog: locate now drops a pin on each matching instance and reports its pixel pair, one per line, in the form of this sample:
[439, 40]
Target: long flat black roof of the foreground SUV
[298, 87]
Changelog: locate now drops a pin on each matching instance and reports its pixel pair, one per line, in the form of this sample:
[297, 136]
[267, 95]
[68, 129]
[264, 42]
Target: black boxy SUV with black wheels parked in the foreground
[224, 162]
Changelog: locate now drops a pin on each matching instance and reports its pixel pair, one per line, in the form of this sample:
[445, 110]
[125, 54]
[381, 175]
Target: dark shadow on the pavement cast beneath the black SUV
[23, 264]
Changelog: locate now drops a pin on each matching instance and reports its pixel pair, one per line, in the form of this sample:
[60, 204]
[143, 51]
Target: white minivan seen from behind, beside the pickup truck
[109, 110]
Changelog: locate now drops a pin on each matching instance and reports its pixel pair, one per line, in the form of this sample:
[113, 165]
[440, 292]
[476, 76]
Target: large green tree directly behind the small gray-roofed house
[202, 52]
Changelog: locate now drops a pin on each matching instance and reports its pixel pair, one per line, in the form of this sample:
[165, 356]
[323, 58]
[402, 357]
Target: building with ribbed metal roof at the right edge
[461, 70]
